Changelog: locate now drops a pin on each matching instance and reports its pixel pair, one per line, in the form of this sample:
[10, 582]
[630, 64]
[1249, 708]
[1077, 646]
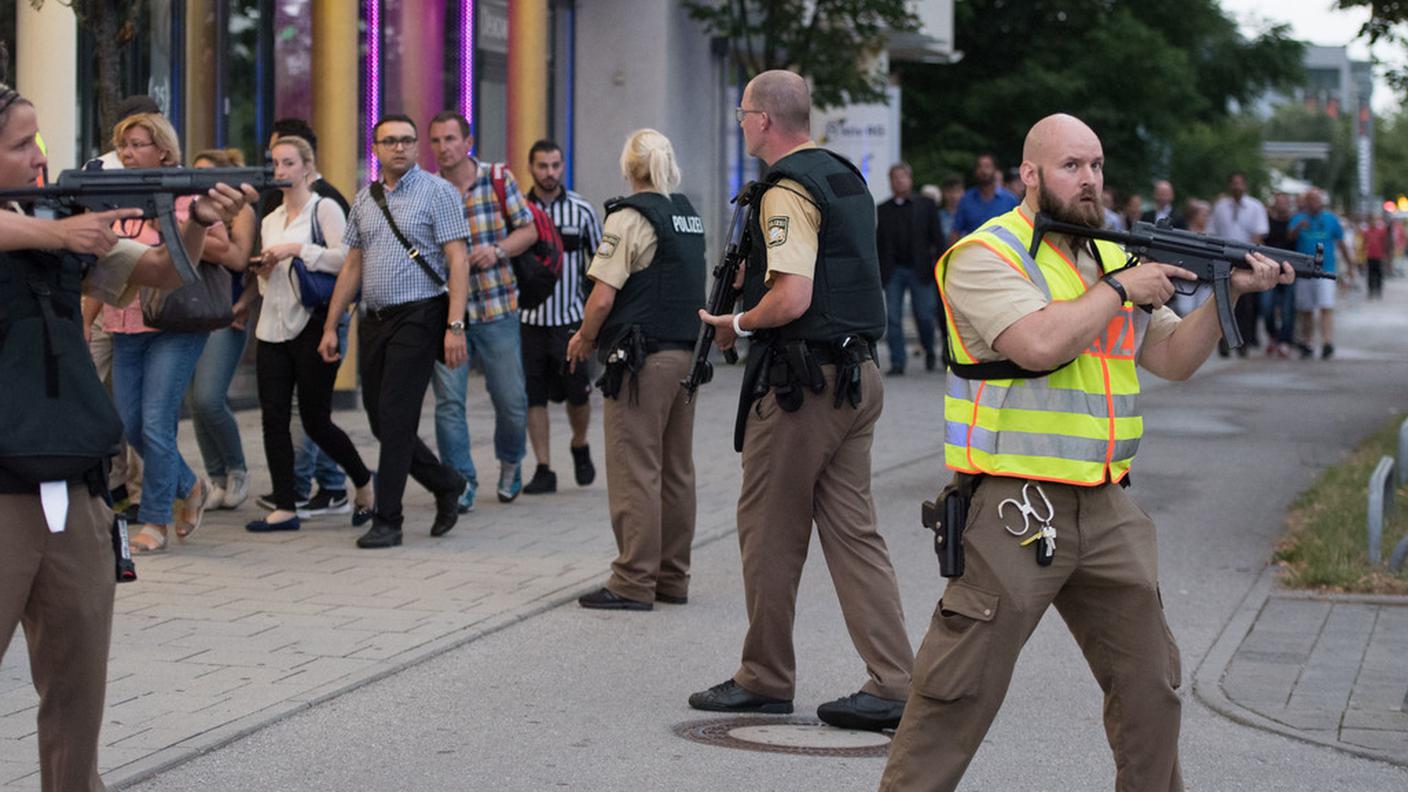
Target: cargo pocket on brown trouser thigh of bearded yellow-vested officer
[951, 663]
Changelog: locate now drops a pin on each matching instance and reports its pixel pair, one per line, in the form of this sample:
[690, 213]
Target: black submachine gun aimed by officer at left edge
[151, 190]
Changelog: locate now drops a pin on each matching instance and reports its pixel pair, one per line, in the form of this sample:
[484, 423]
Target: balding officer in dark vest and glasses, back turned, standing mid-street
[812, 400]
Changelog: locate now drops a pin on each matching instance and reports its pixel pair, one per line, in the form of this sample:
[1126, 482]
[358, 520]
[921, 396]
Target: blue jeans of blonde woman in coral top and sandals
[150, 377]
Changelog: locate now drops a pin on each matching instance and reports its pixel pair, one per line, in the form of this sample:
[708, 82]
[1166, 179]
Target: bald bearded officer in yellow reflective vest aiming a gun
[1043, 418]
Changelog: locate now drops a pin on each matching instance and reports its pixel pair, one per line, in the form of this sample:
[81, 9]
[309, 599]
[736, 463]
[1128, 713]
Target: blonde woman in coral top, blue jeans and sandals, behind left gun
[151, 369]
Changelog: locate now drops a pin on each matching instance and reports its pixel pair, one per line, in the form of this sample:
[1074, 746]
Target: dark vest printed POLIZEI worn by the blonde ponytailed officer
[665, 298]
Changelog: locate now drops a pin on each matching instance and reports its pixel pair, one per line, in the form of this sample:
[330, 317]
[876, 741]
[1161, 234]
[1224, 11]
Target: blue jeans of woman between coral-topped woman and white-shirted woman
[218, 433]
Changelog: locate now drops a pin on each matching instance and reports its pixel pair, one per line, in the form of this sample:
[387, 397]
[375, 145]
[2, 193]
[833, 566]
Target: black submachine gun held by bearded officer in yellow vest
[1210, 259]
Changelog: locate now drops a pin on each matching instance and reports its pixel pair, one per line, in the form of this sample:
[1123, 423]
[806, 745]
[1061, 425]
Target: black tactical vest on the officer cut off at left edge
[57, 421]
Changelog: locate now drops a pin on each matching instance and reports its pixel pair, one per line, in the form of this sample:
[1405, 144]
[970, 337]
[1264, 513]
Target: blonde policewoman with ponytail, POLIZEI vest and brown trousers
[643, 319]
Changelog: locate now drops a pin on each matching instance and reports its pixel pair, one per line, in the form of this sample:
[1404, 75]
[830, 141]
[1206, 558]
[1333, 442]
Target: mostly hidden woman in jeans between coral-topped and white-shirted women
[218, 433]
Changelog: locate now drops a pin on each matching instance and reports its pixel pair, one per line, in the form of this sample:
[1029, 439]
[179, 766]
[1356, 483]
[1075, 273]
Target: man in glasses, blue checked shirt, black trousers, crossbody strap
[406, 252]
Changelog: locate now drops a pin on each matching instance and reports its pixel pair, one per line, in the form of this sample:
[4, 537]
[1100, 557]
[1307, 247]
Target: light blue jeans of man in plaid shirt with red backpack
[495, 347]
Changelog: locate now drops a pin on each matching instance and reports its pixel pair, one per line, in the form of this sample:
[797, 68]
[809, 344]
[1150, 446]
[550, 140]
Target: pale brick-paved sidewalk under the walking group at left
[230, 632]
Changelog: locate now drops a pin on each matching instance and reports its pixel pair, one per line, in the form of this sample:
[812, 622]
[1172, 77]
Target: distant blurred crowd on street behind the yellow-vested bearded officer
[917, 226]
